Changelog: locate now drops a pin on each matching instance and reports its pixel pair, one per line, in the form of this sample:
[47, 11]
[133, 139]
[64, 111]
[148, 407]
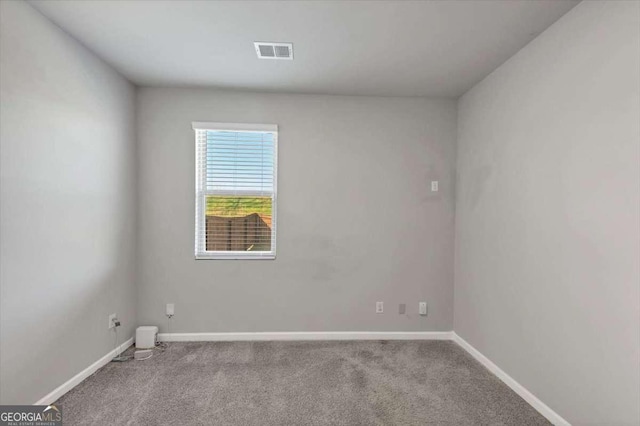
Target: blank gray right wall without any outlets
[547, 215]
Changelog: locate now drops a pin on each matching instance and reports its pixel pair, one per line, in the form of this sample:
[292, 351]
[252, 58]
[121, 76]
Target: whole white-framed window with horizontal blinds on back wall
[236, 191]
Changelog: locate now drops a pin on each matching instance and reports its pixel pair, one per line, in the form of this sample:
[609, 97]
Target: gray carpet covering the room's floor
[298, 383]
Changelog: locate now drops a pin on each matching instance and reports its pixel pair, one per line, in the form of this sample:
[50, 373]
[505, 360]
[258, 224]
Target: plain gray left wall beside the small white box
[67, 205]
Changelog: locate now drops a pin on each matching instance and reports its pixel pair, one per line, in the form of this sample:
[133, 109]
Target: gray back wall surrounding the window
[357, 222]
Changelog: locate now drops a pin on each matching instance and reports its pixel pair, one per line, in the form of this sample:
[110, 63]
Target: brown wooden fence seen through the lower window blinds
[244, 233]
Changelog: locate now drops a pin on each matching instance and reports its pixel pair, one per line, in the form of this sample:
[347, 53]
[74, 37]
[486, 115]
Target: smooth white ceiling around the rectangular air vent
[390, 48]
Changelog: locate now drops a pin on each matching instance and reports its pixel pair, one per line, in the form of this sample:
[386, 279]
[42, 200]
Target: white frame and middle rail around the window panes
[201, 192]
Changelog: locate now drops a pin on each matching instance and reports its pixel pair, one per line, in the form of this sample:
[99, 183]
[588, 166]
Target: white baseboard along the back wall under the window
[319, 335]
